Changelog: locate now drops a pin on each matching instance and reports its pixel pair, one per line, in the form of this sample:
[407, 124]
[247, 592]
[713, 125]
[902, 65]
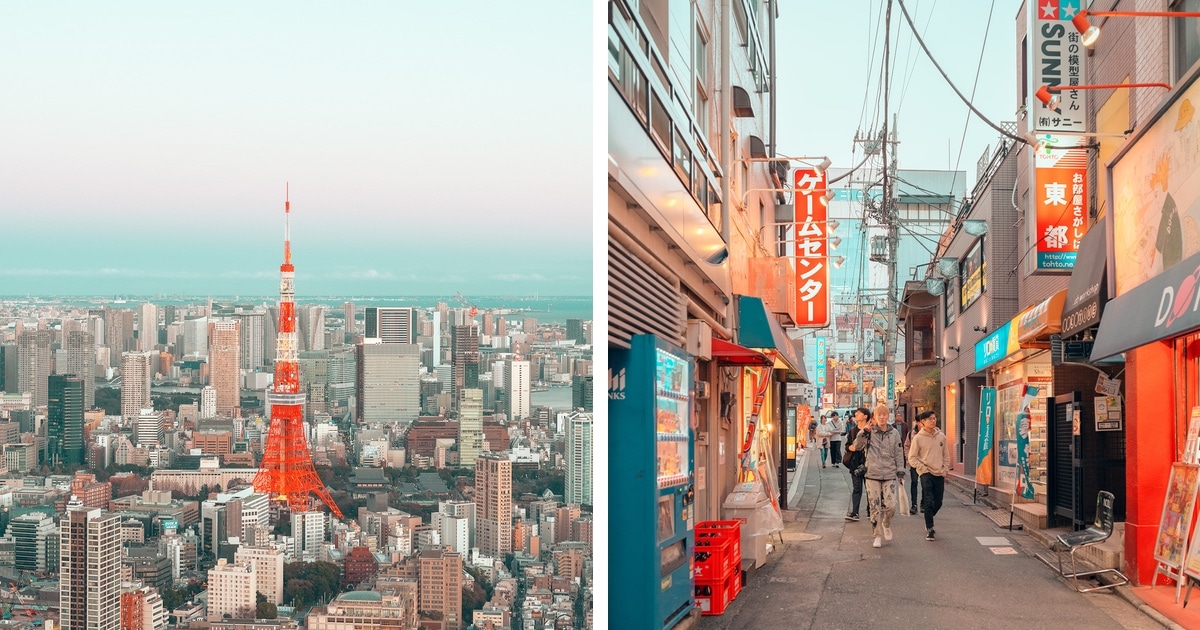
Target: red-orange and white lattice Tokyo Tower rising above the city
[287, 473]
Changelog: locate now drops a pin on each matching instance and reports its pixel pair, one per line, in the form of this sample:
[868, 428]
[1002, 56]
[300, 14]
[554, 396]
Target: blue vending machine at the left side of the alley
[651, 478]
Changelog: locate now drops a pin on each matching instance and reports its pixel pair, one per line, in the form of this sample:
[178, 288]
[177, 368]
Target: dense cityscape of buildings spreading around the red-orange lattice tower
[134, 431]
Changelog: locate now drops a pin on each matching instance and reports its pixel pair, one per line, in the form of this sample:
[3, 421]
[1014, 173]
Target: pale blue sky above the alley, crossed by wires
[830, 75]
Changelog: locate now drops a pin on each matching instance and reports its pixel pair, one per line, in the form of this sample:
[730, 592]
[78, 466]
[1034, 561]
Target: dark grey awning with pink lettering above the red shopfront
[1165, 307]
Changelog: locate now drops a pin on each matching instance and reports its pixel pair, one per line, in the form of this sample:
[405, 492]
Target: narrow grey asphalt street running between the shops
[976, 575]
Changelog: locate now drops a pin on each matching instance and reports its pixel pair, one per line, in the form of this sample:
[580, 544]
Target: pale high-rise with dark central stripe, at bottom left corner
[89, 569]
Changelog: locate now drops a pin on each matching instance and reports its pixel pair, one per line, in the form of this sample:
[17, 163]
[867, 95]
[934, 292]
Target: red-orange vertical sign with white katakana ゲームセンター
[812, 250]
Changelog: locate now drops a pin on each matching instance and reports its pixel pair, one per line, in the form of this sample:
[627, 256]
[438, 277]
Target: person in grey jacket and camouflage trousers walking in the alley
[885, 467]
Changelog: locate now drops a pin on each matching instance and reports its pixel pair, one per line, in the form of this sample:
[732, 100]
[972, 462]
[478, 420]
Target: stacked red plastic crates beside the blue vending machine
[717, 567]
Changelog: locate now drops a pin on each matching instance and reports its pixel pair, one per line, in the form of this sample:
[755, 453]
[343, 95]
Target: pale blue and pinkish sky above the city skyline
[430, 147]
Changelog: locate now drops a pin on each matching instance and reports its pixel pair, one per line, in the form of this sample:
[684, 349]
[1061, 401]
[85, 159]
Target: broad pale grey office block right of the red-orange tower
[388, 383]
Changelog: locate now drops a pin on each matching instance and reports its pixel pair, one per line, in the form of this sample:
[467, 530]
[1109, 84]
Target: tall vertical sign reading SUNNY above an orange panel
[1058, 58]
